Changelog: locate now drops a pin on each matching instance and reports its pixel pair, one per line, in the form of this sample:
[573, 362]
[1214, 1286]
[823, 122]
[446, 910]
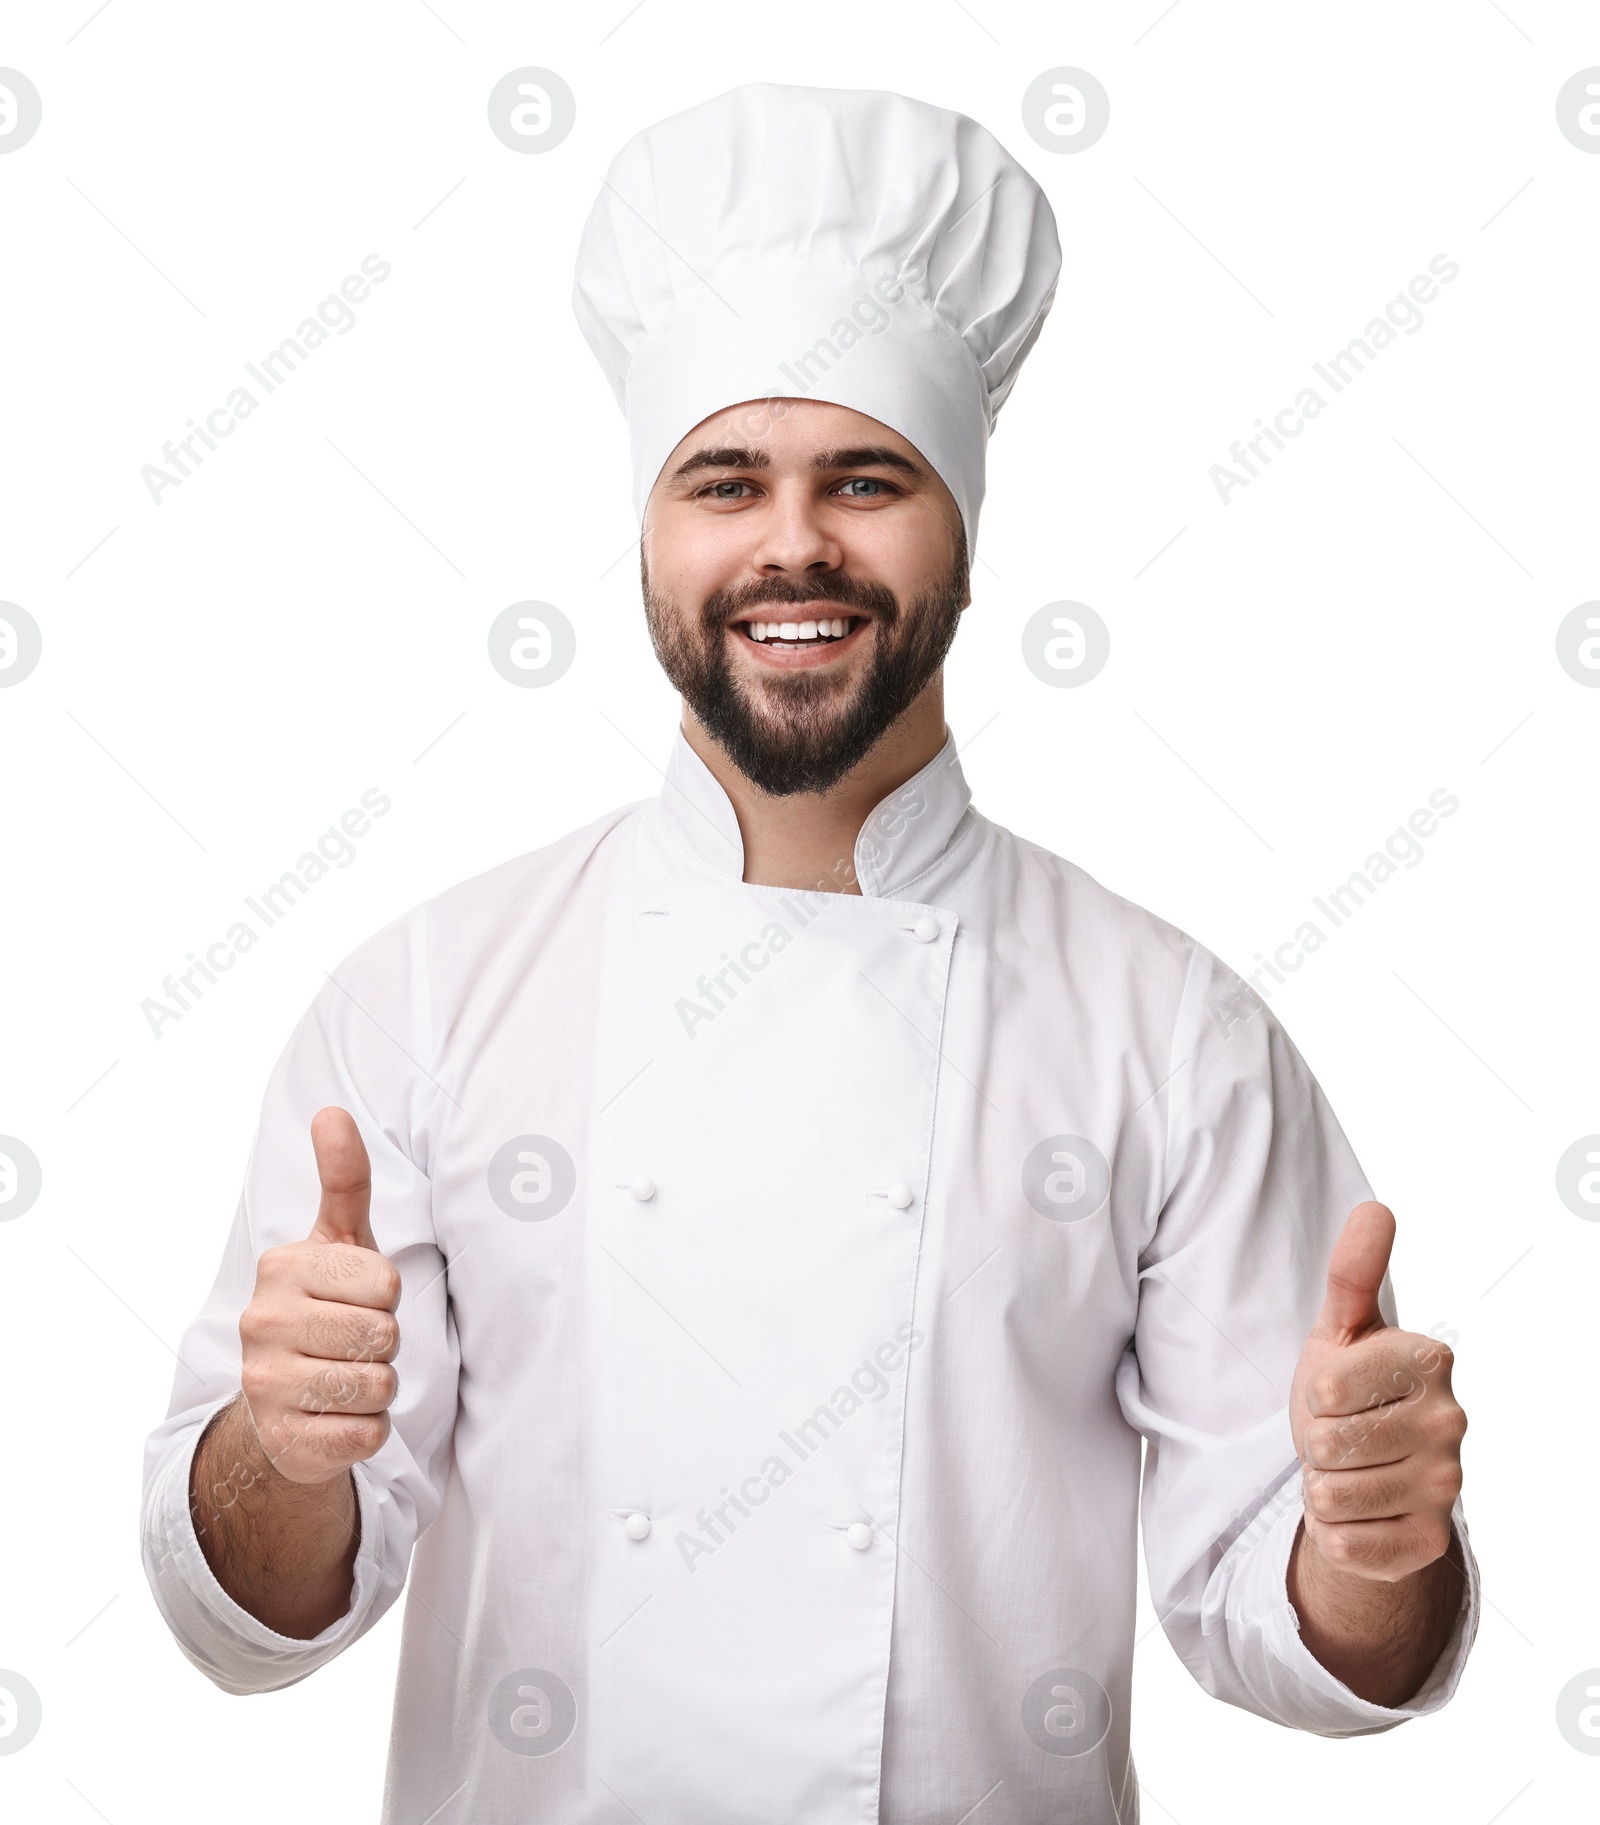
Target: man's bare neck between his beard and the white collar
[809, 839]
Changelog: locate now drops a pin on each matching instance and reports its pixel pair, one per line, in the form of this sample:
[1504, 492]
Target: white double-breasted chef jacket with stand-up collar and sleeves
[789, 1280]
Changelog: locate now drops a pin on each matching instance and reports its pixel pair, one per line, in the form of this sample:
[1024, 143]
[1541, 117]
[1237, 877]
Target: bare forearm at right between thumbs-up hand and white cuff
[1380, 1638]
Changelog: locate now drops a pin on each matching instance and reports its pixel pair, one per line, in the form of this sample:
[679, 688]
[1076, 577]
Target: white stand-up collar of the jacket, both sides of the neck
[899, 842]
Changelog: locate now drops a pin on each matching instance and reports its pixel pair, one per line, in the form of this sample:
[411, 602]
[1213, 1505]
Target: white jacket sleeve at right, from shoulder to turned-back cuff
[1260, 1180]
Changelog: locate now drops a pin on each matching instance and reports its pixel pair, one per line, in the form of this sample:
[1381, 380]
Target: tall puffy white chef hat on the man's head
[846, 245]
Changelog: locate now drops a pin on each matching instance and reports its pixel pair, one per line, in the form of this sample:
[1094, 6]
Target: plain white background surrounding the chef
[306, 618]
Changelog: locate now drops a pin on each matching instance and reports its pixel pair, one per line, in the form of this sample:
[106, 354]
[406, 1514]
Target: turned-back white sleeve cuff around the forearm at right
[1304, 1693]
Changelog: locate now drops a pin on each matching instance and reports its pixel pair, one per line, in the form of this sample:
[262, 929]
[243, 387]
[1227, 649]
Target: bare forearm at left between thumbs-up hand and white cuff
[282, 1550]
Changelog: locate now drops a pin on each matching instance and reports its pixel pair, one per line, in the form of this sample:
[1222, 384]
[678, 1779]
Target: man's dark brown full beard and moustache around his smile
[804, 733]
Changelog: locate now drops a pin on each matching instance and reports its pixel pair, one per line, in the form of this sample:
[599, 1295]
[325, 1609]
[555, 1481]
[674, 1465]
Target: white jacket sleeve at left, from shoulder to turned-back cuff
[364, 1045]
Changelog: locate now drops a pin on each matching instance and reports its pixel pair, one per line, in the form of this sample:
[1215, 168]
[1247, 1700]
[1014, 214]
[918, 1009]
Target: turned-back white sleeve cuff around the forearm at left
[229, 1645]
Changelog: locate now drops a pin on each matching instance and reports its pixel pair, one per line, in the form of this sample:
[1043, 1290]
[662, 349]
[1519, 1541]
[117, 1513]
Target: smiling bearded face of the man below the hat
[804, 578]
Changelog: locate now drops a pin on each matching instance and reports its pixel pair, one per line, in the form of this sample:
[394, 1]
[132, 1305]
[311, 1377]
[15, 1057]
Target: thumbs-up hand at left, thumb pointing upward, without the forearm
[320, 1331]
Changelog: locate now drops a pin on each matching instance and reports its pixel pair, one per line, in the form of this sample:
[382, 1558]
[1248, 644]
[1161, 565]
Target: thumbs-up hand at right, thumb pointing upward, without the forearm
[1375, 1421]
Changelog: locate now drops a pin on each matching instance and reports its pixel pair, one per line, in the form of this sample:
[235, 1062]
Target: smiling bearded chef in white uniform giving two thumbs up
[725, 1264]
